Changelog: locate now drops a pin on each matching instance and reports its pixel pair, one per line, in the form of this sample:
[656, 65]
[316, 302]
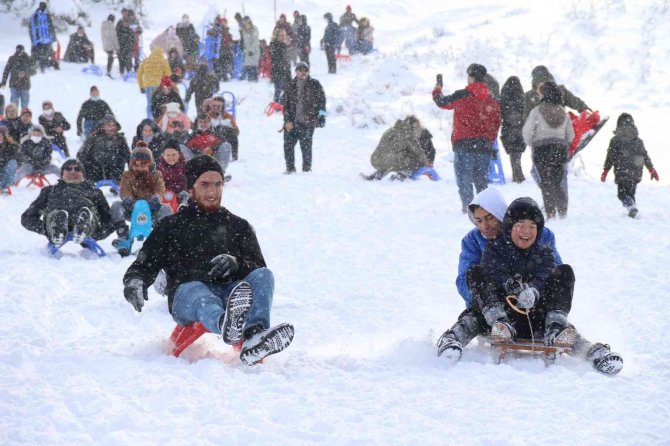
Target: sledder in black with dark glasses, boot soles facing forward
[73, 205]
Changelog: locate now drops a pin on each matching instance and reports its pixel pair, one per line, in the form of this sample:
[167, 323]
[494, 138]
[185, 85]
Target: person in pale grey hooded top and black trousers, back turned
[549, 132]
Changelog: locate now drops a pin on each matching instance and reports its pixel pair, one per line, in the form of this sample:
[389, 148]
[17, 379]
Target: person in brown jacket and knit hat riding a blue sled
[140, 182]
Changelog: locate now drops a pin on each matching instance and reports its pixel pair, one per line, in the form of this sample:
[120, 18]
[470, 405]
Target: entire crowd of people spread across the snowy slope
[510, 253]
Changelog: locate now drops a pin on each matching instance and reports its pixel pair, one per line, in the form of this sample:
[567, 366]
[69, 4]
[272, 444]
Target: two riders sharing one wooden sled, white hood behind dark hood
[484, 297]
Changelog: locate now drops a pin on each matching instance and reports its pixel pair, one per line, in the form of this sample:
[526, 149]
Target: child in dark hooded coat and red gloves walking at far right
[627, 154]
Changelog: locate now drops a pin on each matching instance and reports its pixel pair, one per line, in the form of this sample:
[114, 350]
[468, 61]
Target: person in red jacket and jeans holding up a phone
[476, 124]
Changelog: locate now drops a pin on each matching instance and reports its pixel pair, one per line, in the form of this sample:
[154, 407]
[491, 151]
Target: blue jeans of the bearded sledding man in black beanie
[206, 303]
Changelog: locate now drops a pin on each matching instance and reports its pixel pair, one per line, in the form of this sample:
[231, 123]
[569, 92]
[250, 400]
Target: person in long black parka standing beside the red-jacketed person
[511, 114]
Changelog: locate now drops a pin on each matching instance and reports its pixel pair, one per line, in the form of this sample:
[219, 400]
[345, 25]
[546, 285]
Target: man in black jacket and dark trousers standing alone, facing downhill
[304, 104]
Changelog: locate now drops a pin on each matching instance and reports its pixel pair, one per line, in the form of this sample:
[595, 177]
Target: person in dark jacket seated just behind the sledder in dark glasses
[106, 152]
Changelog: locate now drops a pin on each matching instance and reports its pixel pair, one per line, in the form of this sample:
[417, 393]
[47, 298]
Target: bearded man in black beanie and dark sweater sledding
[216, 273]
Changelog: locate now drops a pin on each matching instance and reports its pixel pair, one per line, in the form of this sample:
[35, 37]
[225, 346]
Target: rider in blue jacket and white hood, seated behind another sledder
[470, 323]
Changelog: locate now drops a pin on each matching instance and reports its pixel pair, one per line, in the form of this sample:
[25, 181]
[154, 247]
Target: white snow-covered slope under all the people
[365, 271]
